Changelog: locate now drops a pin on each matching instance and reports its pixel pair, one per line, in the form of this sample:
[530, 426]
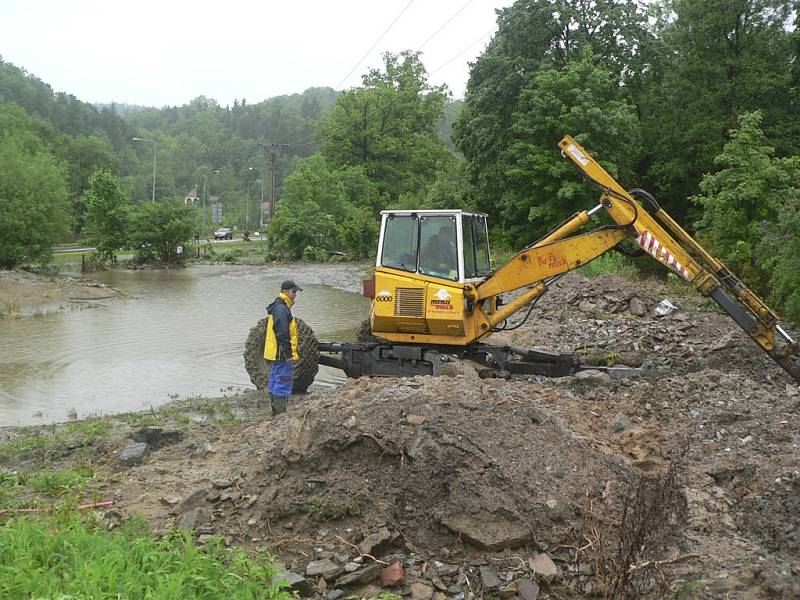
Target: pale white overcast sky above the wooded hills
[169, 52]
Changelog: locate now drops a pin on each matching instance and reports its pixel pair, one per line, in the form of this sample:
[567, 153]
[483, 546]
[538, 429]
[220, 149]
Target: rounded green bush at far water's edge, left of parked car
[157, 229]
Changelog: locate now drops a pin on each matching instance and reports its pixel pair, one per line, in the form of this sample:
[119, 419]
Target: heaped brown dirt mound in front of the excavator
[437, 459]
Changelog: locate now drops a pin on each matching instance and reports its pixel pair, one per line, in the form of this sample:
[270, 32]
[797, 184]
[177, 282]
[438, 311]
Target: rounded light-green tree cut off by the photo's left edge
[33, 192]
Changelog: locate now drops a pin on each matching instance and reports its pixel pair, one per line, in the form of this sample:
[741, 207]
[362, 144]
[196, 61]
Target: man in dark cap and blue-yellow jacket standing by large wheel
[281, 346]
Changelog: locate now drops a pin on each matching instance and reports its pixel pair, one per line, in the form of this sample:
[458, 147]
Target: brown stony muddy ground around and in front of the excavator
[681, 481]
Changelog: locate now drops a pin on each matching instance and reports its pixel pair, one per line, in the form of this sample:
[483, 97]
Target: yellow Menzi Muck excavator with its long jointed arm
[435, 297]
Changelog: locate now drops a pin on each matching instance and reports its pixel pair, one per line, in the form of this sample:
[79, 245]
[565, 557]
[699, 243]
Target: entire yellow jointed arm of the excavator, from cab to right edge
[659, 236]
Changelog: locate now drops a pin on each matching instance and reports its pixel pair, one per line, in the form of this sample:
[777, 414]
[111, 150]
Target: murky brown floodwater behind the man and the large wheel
[181, 333]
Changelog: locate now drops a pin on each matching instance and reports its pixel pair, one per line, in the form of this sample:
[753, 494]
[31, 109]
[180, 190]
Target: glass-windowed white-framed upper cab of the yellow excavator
[443, 244]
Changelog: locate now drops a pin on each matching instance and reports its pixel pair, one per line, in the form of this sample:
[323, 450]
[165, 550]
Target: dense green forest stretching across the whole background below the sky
[697, 101]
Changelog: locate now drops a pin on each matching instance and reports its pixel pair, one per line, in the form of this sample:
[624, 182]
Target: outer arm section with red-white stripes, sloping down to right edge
[661, 237]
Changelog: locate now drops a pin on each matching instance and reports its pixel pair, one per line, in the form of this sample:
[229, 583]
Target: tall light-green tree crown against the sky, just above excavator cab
[388, 127]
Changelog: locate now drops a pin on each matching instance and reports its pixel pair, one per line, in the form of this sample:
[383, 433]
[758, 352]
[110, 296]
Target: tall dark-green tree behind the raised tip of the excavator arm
[541, 48]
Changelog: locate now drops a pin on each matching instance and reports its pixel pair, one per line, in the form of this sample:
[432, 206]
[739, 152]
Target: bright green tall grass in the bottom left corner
[64, 556]
